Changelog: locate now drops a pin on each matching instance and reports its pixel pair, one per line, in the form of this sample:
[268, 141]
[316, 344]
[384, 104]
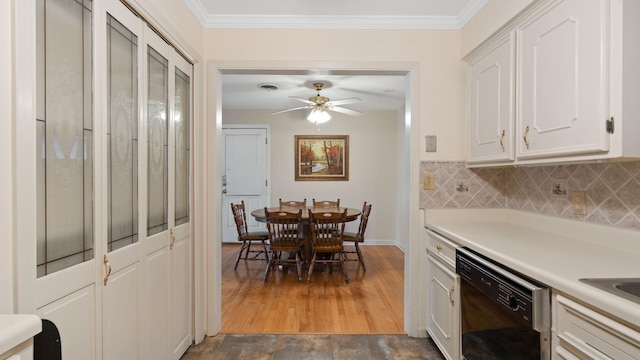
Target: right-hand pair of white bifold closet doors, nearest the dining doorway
[166, 247]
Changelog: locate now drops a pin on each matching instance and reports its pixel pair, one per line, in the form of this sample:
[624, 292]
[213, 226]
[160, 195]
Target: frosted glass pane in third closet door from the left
[158, 166]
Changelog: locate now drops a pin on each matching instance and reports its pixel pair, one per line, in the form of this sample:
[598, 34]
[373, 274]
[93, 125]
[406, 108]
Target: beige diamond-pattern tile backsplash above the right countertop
[612, 190]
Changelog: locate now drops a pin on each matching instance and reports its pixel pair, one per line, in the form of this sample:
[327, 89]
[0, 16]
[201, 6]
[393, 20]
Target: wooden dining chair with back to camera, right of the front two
[326, 234]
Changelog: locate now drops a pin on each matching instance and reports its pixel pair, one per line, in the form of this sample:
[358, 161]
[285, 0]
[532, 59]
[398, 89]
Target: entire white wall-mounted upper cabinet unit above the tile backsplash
[572, 99]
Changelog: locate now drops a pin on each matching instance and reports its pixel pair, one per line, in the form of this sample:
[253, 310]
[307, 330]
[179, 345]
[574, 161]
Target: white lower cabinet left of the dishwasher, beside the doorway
[443, 296]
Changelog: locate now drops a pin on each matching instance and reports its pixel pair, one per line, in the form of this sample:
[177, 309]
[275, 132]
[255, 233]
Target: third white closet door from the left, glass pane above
[154, 214]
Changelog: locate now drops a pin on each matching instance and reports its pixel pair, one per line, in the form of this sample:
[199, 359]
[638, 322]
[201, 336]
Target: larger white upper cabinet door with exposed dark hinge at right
[562, 101]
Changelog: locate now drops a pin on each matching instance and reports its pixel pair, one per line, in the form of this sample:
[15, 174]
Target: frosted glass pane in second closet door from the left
[122, 135]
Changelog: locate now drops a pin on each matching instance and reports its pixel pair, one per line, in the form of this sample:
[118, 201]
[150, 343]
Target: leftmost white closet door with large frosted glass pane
[60, 205]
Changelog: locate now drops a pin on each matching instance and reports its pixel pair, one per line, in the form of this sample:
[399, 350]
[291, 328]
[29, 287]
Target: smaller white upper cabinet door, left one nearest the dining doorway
[491, 102]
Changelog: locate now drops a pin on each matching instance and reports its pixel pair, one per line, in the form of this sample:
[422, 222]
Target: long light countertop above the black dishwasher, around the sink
[556, 252]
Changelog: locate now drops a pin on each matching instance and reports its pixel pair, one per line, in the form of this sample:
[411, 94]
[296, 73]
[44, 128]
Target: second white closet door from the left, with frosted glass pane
[121, 260]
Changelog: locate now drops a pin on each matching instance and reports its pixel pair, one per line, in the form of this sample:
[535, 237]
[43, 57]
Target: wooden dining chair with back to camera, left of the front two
[285, 230]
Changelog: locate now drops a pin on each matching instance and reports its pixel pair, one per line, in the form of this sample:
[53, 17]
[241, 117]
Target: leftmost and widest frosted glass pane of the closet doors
[64, 133]
